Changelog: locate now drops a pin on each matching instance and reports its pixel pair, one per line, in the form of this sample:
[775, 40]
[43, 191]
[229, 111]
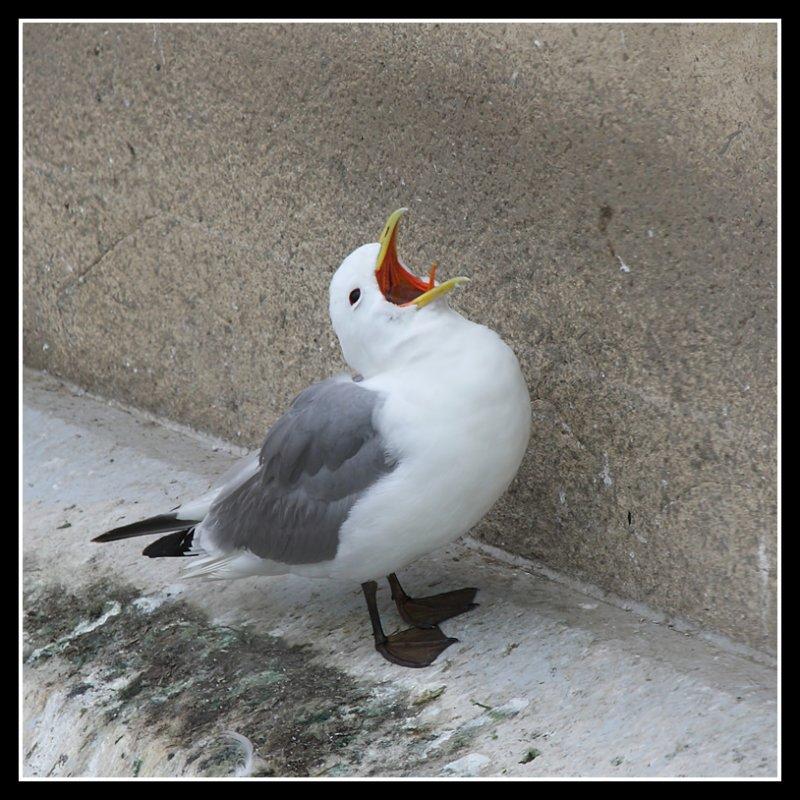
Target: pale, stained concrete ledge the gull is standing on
[131, 671]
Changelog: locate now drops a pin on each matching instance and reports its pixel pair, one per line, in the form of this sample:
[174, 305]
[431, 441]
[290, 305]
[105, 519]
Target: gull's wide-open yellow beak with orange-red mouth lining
[397, 283]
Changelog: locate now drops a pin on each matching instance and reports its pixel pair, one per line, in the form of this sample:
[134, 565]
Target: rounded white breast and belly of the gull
[459, 423]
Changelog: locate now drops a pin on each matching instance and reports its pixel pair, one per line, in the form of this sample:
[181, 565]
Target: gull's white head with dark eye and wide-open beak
[383, 314]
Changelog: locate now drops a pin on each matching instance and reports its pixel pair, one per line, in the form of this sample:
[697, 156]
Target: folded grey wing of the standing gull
[316, 461]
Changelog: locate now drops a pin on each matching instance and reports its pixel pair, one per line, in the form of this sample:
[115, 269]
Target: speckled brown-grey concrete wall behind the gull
[611, 189]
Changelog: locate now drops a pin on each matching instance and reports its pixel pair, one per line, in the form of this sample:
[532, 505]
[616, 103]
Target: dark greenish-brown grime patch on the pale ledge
[194, 679]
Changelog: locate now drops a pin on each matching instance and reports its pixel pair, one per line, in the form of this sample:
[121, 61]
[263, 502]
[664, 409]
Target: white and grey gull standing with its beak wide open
[366, 472]
